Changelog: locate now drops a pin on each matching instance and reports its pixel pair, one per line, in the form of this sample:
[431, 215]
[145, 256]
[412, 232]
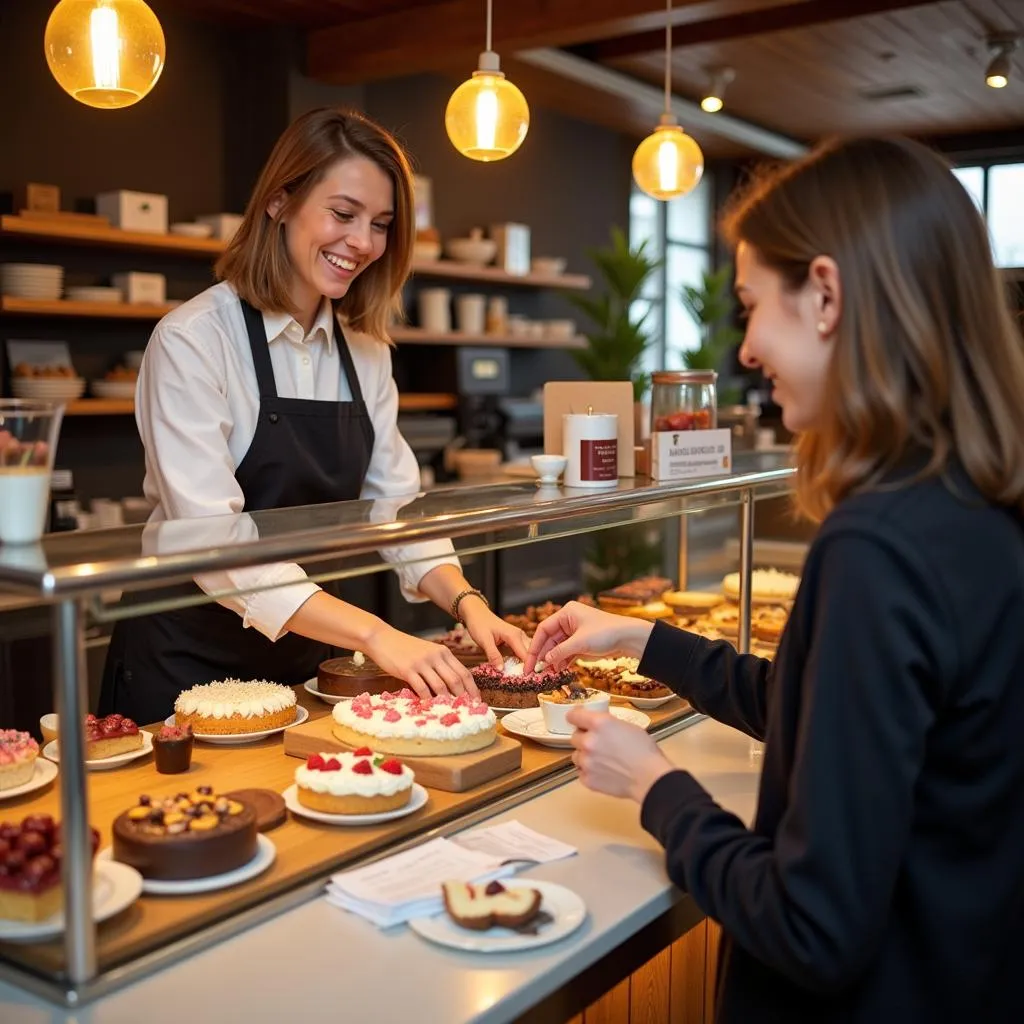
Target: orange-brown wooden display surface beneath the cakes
[307, 850]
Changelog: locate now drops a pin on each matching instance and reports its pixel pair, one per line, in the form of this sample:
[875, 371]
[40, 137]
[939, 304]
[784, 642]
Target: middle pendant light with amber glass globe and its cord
[487, 117]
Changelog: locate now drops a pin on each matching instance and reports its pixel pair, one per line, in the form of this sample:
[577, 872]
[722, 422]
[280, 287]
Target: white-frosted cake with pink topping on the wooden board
[408, 726]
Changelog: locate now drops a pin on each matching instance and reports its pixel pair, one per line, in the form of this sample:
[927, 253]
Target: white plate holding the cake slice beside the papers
[565, 906]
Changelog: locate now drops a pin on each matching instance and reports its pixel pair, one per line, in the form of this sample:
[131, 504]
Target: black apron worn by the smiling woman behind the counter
[304, 453]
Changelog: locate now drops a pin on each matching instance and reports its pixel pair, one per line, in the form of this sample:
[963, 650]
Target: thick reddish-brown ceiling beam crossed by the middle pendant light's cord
[447, 32]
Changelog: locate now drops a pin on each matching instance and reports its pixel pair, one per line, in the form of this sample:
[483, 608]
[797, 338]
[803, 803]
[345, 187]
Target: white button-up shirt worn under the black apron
[197, 405]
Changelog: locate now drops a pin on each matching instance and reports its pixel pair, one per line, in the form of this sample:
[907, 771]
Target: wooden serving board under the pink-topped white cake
[455, 774]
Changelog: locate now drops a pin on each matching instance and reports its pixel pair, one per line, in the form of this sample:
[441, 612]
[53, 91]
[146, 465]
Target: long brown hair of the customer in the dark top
[926, 354]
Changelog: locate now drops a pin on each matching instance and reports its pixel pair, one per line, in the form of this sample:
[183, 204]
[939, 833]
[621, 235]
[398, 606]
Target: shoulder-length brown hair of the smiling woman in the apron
[257, 262]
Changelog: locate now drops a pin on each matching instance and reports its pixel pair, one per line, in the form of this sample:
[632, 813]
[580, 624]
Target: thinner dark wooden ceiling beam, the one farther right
[795, 15]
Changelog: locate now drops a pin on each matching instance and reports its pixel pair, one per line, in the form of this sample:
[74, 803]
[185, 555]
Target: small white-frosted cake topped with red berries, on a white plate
[358, 783]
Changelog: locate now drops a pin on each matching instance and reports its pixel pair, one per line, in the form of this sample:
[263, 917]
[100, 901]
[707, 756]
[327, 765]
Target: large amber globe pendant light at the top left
[105, 54]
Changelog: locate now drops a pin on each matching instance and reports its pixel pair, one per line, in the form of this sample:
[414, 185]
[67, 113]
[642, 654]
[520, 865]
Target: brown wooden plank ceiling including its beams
[803, 68]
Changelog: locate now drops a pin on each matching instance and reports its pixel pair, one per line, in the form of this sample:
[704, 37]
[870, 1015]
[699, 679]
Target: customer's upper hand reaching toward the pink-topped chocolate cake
[578, 630]
